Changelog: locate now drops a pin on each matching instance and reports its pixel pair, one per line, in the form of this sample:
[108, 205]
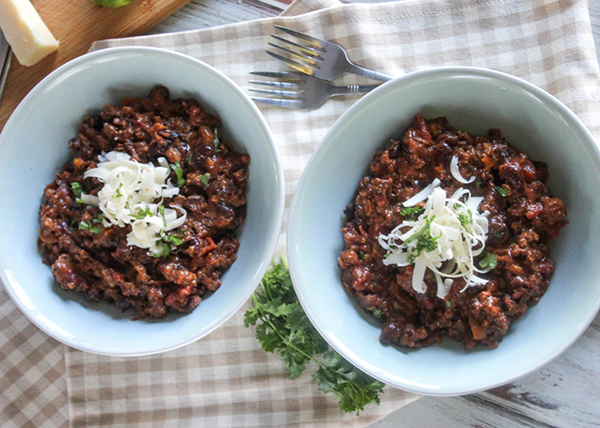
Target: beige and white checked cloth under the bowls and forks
[225, 379]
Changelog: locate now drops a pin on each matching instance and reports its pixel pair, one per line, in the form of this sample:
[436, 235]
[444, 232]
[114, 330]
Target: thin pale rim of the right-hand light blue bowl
[349, 115]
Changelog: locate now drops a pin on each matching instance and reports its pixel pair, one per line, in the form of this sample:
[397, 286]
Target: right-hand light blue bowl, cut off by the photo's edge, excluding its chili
[473, 100]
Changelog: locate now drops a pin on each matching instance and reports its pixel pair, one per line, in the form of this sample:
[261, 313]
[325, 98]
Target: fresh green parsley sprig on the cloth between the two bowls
[282, 325]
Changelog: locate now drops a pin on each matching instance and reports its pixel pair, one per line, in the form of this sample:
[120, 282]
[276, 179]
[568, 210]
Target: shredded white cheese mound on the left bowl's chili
[133, 193]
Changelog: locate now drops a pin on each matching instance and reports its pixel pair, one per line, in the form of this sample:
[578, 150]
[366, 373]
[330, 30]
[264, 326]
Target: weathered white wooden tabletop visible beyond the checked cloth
[564, 393]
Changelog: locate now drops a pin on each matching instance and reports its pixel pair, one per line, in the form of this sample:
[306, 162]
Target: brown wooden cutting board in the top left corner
[77, 24]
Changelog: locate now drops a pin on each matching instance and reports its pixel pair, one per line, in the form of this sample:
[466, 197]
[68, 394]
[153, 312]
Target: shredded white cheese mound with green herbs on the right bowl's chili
[445, 238]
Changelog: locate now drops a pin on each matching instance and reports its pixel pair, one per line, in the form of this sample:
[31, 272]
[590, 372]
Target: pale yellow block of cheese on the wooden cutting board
[28, 36]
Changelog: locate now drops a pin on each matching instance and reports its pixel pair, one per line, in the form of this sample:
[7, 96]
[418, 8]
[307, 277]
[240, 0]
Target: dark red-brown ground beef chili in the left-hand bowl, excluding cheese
[101, 265]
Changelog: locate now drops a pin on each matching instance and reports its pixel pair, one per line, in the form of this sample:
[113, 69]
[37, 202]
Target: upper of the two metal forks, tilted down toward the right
[319, 58]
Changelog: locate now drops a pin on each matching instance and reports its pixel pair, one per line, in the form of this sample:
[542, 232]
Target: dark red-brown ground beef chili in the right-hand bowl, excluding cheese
[523, 219]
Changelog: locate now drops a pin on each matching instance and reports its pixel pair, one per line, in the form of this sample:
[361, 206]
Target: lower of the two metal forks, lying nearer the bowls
[301, 91]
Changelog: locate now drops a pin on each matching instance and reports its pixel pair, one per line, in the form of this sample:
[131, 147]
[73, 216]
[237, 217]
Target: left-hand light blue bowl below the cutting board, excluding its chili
[33, 147]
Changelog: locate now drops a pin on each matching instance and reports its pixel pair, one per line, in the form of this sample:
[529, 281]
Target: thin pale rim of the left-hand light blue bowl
[280, 203]
